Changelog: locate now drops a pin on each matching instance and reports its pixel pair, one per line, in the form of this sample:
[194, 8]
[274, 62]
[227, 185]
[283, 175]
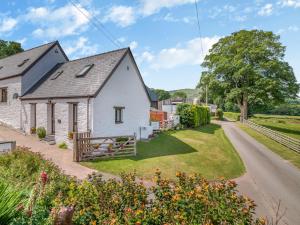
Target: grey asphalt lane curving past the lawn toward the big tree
[269, 180]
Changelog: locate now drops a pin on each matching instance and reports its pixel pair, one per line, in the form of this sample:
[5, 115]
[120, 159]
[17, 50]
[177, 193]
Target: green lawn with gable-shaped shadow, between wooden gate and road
[205, 150]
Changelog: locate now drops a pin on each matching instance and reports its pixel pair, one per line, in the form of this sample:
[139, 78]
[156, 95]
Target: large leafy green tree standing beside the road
[248, 67]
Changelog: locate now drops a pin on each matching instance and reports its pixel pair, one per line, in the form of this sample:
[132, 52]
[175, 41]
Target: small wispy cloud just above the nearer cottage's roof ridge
[80, 48]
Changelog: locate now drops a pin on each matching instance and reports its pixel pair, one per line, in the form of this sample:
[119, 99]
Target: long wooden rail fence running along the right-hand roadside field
[287, 141]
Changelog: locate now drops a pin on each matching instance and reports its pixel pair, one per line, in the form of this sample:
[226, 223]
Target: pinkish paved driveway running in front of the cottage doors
[61, 157]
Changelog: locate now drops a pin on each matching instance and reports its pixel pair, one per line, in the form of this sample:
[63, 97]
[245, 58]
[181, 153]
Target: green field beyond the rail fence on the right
[289, 125]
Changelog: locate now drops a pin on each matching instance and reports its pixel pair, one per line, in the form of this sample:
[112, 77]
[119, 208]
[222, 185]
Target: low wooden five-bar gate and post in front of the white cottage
[87, 148]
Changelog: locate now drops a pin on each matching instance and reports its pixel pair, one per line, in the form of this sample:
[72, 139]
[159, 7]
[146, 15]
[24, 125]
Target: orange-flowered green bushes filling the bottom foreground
[187, 200]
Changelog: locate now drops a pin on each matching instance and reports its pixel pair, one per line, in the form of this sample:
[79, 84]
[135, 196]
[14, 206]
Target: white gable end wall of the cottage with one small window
[123, 89]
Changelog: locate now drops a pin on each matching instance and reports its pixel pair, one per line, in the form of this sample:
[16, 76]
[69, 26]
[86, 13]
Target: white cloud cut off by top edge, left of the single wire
[149, 7]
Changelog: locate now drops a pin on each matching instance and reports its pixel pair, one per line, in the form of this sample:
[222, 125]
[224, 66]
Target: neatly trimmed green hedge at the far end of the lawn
[193, 115]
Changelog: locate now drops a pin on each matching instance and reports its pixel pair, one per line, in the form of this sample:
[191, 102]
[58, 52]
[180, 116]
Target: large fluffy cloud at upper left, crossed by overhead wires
[58, 22]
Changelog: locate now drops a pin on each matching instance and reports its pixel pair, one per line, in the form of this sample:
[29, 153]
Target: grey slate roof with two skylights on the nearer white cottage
[67, 85]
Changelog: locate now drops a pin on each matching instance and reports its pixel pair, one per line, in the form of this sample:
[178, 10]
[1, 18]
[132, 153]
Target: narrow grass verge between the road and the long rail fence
[284, 152]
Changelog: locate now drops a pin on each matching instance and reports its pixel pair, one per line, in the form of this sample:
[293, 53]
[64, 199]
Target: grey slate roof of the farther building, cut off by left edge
[9, 65]
